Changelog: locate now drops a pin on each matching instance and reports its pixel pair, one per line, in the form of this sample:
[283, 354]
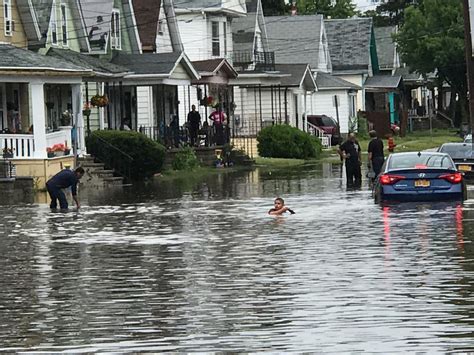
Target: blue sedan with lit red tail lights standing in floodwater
[421, 176]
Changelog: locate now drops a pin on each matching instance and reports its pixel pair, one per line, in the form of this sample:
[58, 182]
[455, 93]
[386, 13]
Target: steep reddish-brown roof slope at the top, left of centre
[147, 13]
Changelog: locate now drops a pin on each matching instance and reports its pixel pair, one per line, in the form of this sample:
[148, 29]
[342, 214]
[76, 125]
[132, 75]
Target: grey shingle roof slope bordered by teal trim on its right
[349, 43]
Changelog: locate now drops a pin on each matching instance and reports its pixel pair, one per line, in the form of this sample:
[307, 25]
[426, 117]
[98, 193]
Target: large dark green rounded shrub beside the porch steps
[148, 156]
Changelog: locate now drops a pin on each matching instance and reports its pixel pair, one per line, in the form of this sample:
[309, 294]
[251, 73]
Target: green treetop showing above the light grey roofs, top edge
[328, 8]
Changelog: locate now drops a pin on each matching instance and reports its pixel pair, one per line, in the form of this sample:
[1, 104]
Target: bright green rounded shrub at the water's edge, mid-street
[283, 141]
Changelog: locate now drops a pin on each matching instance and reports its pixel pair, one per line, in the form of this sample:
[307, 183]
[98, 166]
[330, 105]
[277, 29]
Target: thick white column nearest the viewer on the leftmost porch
[39, 119]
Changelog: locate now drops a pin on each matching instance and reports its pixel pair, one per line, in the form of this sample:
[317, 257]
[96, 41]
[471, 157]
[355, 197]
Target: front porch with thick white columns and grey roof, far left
[26, 80]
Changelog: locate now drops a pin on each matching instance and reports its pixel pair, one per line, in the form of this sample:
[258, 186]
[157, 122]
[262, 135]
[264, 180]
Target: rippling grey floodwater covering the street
[200, 266]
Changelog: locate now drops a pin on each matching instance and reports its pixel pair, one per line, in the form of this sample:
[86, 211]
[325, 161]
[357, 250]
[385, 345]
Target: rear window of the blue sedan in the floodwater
[422, 161]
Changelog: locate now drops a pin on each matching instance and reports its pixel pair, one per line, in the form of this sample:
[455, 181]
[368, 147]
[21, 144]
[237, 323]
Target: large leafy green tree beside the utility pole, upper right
[431, 40]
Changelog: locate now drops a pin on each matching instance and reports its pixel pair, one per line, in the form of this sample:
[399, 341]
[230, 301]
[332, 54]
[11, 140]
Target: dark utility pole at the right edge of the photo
[469, 59]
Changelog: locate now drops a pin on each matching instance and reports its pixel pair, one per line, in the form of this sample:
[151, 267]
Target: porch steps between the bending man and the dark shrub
[97, 175]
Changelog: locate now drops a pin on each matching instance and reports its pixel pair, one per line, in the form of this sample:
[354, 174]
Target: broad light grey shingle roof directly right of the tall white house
[295, 39]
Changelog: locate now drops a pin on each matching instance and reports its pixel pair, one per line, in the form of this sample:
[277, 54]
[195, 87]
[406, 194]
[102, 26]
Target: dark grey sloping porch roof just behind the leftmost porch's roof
[99, 66]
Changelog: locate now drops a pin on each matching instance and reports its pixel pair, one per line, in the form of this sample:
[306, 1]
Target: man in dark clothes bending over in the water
[64, 179]
